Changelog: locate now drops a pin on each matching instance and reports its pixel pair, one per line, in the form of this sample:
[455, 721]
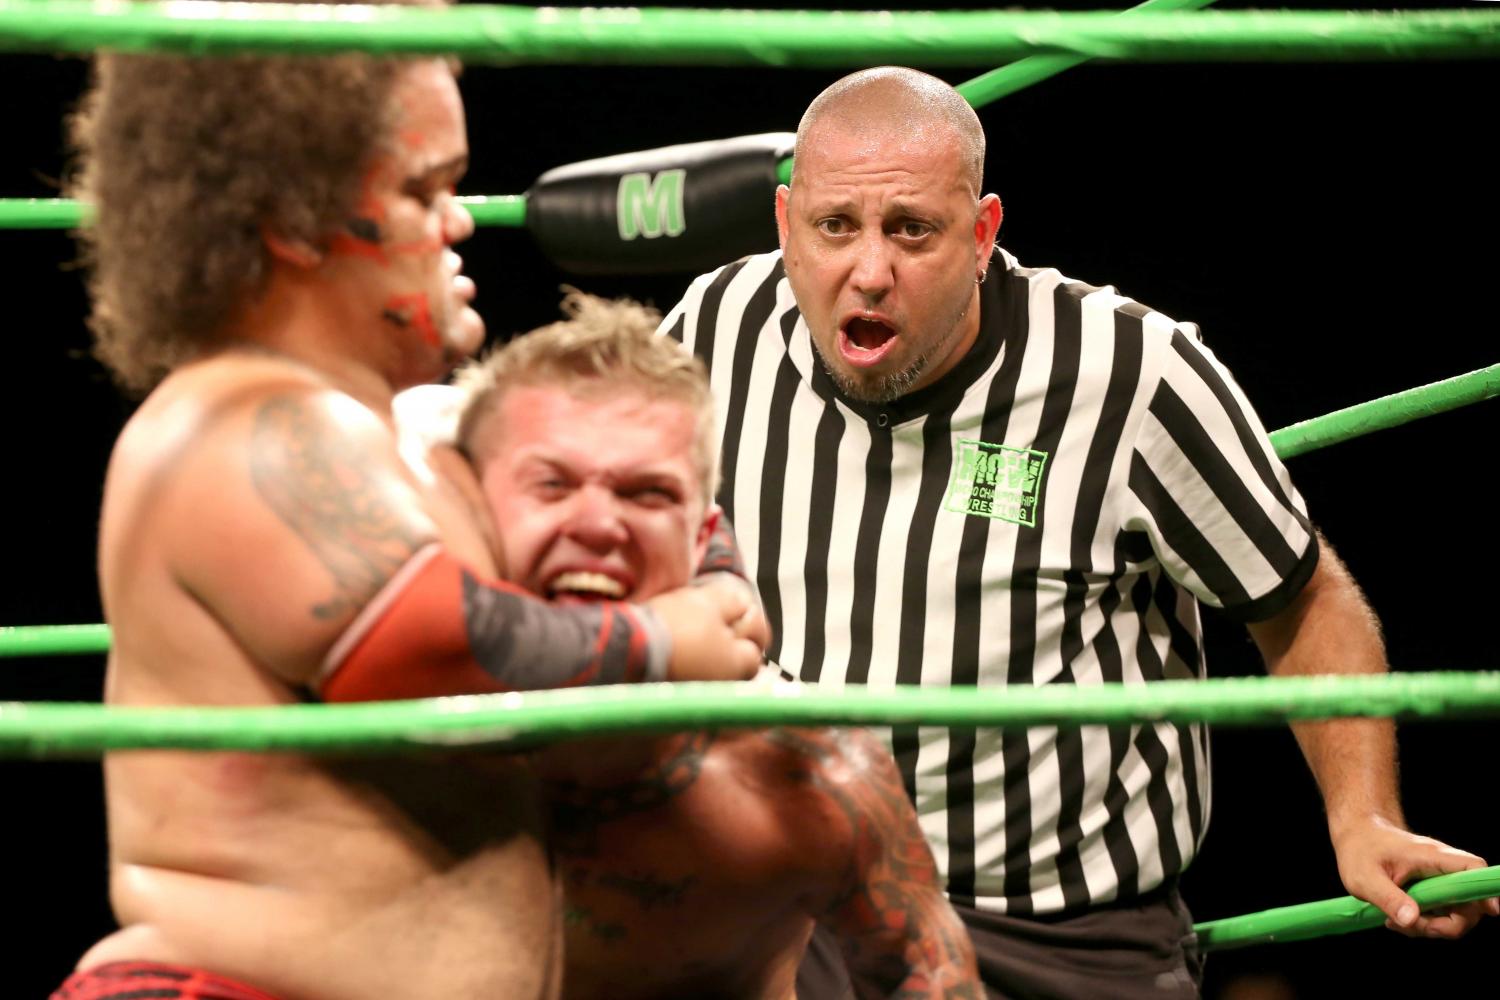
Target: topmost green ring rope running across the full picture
[511, 35]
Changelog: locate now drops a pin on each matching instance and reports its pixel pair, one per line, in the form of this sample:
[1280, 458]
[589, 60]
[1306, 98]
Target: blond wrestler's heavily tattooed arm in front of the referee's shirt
[896, 930]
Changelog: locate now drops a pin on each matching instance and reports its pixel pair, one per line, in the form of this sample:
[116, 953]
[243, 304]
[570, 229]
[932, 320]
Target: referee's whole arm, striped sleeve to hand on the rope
[1238, 536]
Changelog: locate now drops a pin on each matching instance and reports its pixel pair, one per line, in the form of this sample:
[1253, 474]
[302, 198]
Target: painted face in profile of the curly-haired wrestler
[395, 257]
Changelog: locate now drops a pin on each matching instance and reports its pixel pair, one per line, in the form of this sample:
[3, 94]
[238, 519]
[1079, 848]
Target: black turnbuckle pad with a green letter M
[676, 209]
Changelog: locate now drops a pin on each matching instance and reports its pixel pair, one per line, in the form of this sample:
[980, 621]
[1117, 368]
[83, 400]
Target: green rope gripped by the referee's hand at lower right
[1343, 915]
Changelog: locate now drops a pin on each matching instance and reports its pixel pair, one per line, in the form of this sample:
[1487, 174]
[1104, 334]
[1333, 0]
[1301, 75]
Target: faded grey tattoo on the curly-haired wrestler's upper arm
[334, 497]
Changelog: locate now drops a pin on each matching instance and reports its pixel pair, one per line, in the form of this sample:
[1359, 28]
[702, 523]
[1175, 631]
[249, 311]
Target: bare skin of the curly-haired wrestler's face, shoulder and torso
[310, 879]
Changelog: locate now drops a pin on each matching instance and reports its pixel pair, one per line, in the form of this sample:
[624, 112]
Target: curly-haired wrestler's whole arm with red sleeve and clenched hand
[337, 578]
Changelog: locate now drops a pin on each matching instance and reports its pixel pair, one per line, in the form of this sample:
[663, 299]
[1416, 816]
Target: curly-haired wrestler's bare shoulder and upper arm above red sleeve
[259, 494]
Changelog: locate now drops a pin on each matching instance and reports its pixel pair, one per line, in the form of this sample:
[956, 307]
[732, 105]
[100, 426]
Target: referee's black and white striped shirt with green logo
[1046, 513]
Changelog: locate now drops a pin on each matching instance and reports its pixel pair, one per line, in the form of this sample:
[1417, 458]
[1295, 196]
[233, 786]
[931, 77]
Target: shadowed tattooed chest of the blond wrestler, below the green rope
[679, 887]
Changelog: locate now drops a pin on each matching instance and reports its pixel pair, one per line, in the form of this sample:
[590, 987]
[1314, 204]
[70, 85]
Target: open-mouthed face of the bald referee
[884, 239]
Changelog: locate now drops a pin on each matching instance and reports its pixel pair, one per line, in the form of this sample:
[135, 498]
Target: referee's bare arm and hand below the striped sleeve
[1331, 629]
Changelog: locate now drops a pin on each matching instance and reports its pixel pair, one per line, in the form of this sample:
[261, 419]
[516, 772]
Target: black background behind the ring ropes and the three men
[1331, 227]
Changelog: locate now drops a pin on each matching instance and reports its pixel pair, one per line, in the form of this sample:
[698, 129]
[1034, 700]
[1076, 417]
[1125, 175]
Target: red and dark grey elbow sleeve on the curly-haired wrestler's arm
[437, 629]
